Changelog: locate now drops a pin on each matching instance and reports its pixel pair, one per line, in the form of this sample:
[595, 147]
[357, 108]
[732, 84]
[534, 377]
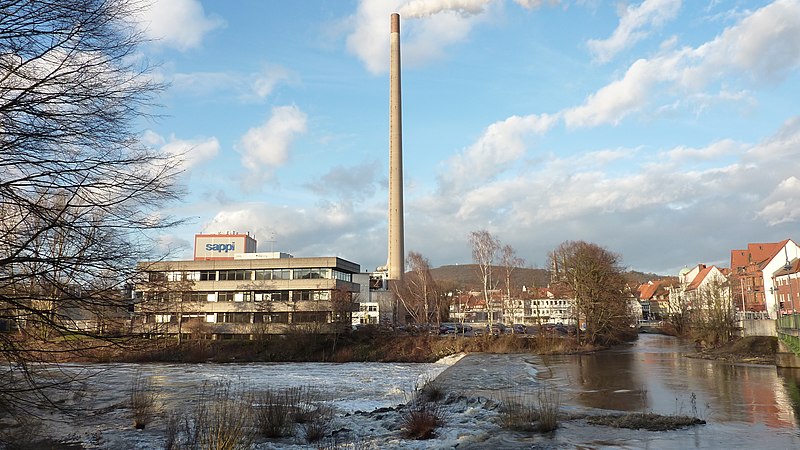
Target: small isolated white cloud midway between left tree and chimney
[266, 147]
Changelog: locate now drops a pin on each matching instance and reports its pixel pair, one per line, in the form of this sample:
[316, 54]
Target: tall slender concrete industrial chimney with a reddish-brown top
[396, 262]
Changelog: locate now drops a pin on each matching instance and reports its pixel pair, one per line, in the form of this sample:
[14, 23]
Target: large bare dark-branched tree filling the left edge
[79, 193]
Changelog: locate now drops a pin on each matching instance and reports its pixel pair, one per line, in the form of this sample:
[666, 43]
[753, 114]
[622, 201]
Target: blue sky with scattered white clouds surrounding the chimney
[667, 131]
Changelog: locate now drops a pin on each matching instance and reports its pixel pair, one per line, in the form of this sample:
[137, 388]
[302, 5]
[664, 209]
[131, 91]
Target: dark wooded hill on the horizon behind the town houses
[467, 276]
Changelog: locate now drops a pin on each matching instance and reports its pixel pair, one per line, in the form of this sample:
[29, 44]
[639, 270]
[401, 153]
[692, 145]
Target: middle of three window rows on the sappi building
[239, 296]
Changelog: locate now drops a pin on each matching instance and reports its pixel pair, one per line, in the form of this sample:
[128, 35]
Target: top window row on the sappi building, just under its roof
[251, 275]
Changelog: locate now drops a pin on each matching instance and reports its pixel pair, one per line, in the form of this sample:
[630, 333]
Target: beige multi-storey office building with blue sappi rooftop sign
[231, 291]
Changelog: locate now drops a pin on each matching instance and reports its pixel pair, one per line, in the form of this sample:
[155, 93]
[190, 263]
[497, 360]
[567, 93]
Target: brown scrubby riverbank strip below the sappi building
[366, 345]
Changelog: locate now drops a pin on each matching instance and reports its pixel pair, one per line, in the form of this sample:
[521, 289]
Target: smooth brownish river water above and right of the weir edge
[745, 405]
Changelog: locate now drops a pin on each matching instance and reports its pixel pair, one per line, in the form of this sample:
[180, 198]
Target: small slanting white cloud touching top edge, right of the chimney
[633, 27]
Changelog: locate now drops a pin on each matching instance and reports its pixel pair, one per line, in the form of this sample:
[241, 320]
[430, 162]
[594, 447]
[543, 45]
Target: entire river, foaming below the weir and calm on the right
[745, 406]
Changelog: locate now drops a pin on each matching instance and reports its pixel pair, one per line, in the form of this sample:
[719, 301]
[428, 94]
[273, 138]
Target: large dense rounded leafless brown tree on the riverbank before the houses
[594, 276]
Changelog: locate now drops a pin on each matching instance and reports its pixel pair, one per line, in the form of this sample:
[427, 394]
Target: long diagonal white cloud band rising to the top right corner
[764, 45]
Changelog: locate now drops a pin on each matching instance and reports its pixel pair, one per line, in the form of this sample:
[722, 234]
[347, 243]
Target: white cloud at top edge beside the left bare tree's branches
[181, 24]
